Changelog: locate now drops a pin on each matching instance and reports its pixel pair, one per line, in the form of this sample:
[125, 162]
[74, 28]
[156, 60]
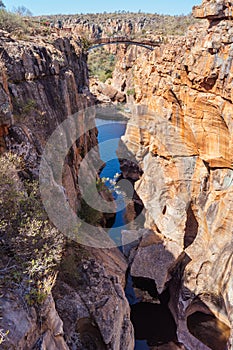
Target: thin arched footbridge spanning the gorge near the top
[148, 44]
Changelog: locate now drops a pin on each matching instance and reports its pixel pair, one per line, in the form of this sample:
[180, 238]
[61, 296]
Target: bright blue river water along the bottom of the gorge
[109, 134]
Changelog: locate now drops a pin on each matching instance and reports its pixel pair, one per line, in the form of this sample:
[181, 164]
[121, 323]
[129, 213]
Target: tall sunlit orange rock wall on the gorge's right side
[184, 145]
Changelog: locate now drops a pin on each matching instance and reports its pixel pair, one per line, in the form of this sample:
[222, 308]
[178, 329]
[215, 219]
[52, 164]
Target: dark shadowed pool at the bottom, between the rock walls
[151, 317]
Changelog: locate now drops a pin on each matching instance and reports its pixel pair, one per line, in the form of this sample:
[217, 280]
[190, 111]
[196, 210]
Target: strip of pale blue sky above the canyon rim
[173, 7]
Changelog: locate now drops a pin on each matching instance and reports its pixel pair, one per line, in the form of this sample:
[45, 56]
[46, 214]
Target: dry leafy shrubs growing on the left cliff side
[31, 247]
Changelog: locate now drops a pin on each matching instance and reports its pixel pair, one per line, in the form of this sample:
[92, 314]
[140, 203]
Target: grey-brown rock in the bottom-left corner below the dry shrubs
[27, 333]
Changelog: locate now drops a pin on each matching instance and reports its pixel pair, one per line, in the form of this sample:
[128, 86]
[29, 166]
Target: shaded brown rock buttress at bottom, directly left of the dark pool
[97, 313]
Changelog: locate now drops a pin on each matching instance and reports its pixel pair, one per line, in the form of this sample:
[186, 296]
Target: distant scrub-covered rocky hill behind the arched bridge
[121, 23]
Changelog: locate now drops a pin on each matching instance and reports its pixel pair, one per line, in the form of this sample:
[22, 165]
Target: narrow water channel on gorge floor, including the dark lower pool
[151, 317]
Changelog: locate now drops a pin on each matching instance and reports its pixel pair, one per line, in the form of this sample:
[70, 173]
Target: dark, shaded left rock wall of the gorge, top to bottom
[42, 82]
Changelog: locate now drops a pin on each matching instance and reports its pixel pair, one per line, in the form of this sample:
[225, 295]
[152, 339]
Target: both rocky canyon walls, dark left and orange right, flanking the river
[179, 133]
